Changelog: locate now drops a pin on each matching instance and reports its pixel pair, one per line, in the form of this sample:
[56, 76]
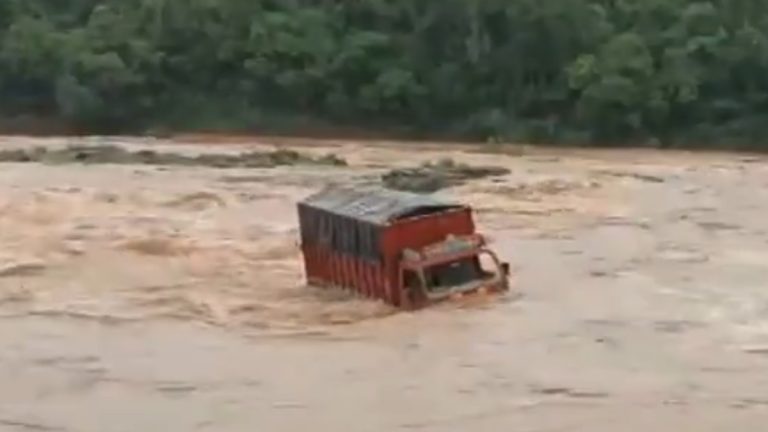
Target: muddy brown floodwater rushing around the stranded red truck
[151, 298]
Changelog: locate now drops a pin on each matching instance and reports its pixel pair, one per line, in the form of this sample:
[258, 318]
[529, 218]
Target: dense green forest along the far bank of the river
[608, 72]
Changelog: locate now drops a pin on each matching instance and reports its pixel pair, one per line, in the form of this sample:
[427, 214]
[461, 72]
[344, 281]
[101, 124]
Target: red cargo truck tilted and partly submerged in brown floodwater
[405, 249]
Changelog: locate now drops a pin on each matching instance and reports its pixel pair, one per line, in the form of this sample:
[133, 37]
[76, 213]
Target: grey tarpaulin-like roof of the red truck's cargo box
[375, 205]
